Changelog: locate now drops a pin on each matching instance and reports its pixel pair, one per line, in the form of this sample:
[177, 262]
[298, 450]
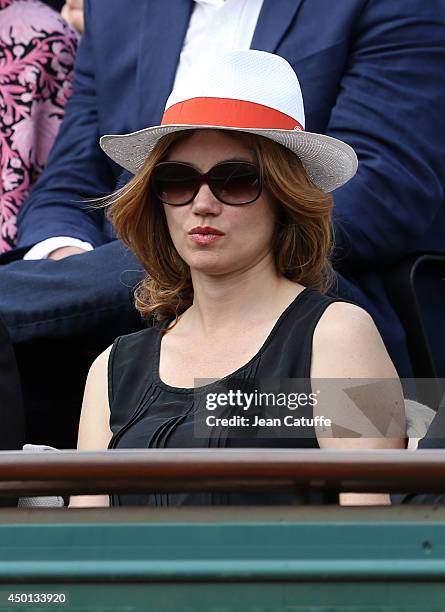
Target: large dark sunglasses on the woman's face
[231, 182]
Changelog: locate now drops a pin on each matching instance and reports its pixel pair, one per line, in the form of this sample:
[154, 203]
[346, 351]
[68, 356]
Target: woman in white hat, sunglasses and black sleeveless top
[230, 214]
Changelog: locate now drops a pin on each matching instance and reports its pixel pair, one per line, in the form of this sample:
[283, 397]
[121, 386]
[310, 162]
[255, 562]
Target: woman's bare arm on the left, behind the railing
[94, 428]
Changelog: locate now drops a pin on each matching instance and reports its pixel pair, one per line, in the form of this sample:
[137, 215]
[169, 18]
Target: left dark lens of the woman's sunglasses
[174, 183]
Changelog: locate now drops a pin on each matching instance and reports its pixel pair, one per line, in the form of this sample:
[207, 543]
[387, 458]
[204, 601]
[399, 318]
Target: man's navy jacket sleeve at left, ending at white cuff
[76, 169]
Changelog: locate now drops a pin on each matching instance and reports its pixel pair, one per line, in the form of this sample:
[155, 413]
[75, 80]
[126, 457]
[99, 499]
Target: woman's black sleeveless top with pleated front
[147, 413]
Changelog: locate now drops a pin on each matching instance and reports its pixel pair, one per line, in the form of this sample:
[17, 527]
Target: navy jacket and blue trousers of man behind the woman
[372, 75]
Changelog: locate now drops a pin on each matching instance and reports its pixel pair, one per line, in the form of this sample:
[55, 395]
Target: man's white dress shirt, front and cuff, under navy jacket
[215, 26]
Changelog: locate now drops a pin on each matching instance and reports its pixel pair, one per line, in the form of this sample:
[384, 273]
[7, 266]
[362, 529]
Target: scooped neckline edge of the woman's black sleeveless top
[156, 360]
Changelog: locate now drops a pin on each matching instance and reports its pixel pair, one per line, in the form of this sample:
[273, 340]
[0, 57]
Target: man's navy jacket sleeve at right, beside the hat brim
[390, 109]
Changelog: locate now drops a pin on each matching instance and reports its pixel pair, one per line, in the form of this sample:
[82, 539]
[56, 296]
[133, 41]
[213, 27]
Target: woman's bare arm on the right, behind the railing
[348, 346]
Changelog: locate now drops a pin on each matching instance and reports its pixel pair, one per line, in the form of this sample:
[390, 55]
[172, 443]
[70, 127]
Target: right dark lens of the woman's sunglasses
[235, 182]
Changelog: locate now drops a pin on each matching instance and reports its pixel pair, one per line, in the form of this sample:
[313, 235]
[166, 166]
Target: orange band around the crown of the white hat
[230, 113]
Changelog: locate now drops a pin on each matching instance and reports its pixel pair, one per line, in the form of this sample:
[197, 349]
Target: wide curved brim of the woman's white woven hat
[329, 162]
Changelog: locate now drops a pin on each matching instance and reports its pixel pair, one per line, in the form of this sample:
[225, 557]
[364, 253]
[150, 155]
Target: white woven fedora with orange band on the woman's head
[248, 91]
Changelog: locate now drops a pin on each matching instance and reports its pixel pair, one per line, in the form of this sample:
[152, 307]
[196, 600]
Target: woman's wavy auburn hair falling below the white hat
[302, 240]
